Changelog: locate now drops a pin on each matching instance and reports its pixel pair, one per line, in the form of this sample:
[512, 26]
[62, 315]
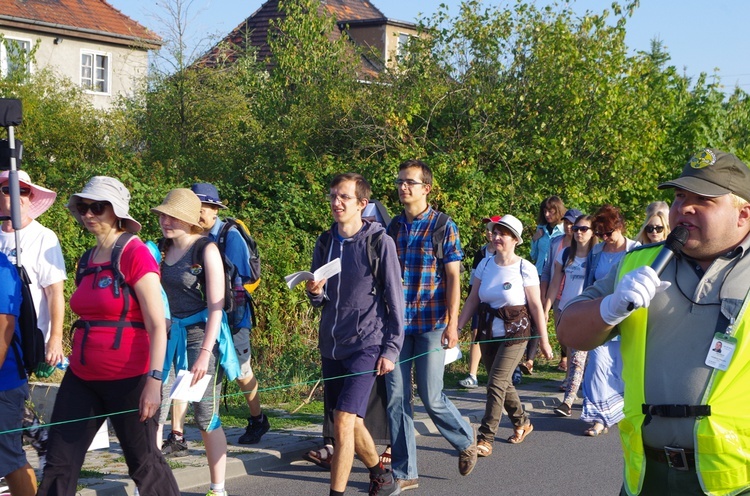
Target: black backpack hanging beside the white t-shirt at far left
[29, 348]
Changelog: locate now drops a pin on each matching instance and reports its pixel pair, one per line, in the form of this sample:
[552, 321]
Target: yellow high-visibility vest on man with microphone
[722, 440]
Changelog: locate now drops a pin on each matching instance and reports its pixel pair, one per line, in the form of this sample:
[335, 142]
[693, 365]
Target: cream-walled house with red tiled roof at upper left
[89, 42]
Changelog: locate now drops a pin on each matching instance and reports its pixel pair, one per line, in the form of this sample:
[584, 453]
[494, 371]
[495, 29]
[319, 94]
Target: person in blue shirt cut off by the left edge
[14, 388]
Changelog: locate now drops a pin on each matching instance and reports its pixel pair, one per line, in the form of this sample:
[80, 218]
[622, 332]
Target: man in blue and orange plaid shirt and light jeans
[432, 293]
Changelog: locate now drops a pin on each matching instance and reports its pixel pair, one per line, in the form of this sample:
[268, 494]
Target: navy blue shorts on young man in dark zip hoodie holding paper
[345, 384]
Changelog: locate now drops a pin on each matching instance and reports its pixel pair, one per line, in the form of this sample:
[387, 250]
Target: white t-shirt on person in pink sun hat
[41, 255]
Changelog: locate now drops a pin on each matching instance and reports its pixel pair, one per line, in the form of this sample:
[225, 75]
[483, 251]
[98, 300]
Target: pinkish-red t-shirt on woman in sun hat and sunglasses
[94, 300]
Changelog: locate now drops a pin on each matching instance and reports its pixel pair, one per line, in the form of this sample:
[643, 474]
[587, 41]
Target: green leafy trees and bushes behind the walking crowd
[507, 104]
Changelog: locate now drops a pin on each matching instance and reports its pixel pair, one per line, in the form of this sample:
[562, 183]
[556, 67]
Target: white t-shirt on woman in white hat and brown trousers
[504, 285]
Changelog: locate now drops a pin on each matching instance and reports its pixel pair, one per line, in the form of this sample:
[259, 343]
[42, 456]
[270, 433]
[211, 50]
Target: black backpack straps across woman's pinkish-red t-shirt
[119, 288]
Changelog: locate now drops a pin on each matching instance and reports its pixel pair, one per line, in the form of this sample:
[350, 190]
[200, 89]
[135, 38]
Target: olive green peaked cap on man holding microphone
[713, 173]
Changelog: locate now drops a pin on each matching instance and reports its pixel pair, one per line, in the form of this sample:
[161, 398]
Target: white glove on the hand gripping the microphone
[635, 290]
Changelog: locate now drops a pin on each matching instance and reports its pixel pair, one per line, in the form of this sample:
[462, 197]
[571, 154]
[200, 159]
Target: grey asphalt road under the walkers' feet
[554, 459]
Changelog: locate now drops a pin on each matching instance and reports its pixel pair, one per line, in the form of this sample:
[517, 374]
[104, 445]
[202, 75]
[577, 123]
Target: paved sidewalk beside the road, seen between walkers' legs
[277, 447]
